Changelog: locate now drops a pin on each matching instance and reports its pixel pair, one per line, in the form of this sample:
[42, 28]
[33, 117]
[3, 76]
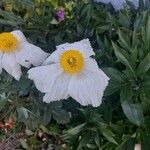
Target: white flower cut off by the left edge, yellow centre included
[15, 51]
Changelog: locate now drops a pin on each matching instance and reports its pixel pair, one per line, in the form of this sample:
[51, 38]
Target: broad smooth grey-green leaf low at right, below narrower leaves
[133, 112]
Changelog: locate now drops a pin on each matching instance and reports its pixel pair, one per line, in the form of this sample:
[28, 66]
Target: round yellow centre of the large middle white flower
[72, 61]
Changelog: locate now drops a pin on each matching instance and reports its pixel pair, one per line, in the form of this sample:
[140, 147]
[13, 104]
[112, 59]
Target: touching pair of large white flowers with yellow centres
[68, 72]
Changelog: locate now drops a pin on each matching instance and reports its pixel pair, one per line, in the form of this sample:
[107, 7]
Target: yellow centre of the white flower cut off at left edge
[8, 42]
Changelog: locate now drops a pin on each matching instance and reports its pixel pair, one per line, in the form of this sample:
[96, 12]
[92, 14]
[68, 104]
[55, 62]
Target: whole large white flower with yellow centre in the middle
[70, 72]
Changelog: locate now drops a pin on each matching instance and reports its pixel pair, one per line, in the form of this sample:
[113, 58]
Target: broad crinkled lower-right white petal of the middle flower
[88, 87]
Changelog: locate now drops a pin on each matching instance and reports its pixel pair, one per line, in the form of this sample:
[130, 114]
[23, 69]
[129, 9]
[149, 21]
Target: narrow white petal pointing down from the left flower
[11, 66]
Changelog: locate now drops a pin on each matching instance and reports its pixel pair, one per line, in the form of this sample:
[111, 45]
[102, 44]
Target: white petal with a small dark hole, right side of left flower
[29, 54]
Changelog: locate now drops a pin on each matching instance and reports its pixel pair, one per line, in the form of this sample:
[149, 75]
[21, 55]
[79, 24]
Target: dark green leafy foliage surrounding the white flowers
[121, 41]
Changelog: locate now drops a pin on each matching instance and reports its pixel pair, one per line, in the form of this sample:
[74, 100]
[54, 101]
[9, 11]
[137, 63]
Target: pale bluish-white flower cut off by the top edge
[119, 4]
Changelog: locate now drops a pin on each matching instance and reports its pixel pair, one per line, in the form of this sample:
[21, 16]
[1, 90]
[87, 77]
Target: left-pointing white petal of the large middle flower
[44, 76]
